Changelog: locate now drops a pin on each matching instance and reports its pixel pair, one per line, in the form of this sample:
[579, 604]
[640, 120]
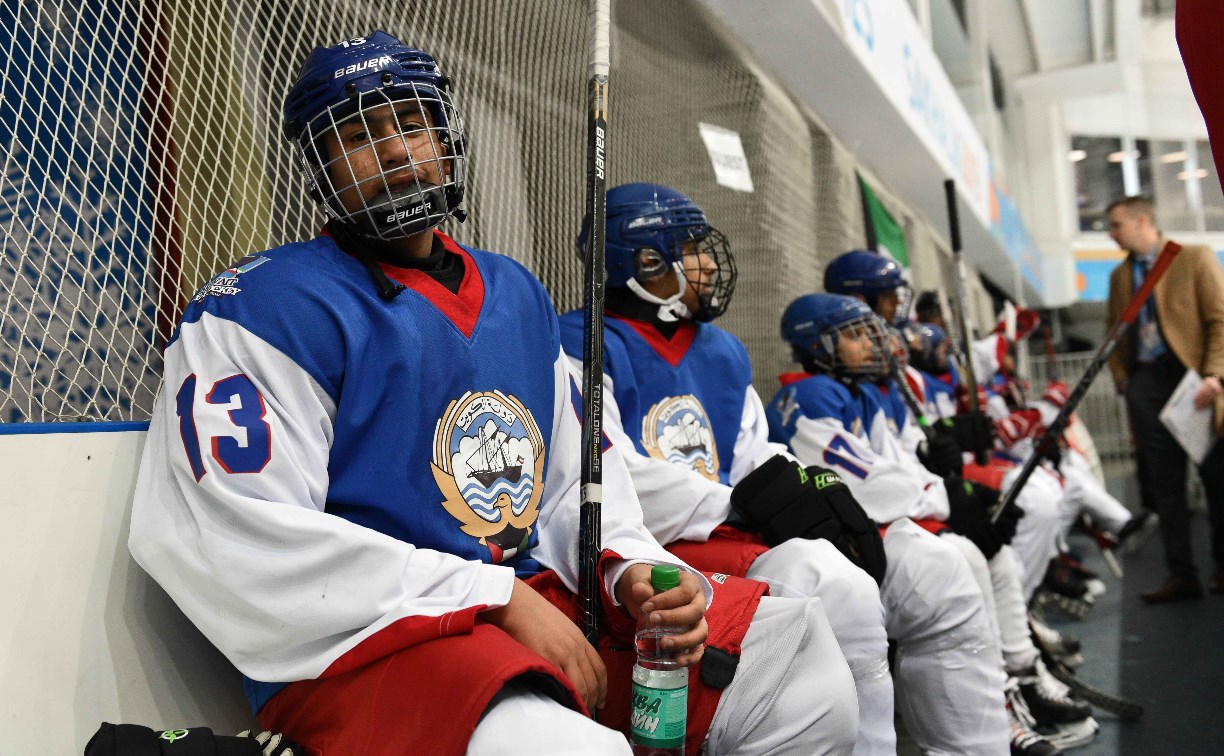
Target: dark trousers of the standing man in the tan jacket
[1147, 391]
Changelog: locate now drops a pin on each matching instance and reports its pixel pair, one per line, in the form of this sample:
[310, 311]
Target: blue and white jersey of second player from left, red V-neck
[688, 414]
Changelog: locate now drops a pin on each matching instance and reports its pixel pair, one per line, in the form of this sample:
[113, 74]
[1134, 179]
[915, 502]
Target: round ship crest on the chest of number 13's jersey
[489, 464]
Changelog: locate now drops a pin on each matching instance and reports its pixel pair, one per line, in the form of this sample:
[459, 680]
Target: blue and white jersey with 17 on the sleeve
[826, 424]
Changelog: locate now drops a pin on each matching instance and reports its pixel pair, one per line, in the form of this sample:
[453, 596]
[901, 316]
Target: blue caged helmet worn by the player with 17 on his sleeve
[815, 326]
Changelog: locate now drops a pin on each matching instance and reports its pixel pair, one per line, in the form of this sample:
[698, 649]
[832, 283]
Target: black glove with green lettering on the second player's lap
[783, 501]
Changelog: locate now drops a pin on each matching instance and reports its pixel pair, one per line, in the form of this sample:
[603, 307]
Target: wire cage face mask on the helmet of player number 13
[390, 163]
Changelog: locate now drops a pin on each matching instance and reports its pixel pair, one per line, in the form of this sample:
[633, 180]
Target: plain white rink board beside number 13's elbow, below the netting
[86, 637]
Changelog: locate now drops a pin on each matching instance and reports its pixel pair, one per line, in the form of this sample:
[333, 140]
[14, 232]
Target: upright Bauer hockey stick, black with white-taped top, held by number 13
[589, 536]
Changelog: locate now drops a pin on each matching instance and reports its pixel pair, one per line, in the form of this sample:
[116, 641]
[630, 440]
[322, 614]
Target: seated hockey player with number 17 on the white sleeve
[946, 639]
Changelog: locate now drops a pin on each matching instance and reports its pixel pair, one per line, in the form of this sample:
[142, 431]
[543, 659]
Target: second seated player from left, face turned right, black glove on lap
[680, 404]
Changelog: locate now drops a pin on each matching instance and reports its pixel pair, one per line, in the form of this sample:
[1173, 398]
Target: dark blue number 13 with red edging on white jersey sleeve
[232, 456]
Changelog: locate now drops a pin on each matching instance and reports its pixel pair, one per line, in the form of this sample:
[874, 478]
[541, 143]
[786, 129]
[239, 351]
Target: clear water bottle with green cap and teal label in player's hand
[660, 684]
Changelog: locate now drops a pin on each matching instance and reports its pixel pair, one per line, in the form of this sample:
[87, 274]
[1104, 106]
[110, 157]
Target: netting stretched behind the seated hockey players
[143, 154]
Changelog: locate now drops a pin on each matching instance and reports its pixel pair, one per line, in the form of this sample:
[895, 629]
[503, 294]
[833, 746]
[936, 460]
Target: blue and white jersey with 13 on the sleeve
[331, 476]
